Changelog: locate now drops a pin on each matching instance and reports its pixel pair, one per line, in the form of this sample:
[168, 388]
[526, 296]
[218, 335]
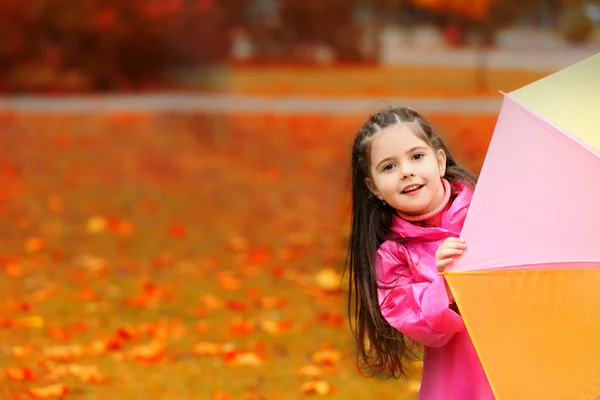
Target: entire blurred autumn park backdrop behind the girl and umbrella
[174, 178]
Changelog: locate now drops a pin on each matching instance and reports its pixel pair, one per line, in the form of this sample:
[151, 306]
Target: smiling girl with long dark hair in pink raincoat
[409, 200]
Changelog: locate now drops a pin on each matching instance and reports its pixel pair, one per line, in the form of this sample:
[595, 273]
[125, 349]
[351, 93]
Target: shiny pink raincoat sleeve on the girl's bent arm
[417, 308]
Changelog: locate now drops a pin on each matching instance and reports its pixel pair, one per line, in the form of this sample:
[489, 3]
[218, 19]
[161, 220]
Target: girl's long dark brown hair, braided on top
[381, 347]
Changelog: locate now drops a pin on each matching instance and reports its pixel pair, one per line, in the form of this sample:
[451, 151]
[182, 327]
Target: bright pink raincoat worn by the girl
[417, 305]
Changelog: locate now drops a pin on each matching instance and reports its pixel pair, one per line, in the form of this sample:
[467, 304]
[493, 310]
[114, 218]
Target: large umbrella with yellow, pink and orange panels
[528, 286]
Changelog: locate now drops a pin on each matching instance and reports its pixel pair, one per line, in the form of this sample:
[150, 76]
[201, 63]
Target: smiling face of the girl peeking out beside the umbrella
[405, 172]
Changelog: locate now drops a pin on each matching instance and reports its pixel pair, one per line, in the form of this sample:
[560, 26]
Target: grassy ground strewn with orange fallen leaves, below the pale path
[182, 257]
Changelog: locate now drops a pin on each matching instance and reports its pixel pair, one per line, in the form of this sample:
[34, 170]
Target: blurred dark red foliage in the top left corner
[109, 44]
